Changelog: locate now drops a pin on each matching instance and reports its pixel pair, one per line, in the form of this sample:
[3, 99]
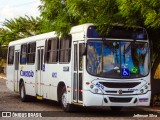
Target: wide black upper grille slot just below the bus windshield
[119, 85]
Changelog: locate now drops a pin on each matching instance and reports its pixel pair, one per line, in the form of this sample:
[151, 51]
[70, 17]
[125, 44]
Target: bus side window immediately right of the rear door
[23, 57]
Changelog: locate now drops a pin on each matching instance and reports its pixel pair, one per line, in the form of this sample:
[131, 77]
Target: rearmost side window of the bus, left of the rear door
[11, 55]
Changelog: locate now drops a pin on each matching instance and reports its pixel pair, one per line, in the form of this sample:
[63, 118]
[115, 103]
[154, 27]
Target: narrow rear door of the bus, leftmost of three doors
[16, 68]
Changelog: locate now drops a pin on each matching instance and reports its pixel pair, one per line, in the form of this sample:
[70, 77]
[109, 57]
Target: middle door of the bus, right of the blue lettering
[39, 70]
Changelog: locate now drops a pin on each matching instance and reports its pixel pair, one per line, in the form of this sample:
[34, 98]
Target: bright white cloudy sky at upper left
[10, 9]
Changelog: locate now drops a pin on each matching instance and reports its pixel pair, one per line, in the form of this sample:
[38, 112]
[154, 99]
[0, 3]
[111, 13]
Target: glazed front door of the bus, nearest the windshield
[78, 72]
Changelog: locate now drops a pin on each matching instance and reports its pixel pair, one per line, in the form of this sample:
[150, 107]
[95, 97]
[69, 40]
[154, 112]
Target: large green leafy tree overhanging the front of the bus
[63, 14]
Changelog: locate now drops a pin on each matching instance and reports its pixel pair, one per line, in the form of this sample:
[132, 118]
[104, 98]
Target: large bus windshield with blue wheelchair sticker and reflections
[117, 59]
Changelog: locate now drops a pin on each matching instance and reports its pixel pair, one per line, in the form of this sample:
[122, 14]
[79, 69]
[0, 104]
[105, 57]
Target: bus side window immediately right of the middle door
[52, 51]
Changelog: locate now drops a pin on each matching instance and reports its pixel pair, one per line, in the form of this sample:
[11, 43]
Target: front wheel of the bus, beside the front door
[66, 106]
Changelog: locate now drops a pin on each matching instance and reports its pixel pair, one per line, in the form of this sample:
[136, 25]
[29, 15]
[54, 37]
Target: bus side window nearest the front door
[65, 50]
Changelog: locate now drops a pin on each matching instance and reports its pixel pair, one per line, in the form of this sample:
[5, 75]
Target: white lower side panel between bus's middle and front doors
[55, 73]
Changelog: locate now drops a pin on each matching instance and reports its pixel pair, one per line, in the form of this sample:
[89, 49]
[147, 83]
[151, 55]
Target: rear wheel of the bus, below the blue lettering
[23, 93]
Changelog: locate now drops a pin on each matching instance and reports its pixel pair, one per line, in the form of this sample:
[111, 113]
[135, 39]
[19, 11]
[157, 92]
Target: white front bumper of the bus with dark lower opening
[91, 99]
